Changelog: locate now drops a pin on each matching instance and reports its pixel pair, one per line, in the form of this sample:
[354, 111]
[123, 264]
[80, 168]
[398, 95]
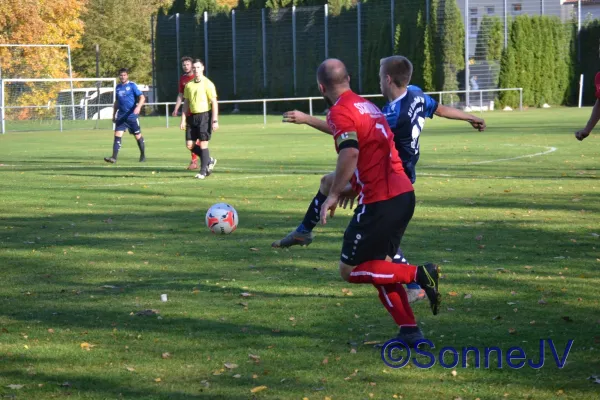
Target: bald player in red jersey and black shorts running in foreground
[369, 166]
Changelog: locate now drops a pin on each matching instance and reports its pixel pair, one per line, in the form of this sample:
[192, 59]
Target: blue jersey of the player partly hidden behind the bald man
[406, 117]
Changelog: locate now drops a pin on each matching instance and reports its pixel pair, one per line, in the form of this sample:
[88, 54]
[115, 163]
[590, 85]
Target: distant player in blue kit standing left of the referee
[126, 111]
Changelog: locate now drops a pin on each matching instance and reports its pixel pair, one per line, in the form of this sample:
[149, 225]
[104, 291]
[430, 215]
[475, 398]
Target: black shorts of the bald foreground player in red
[376, 229]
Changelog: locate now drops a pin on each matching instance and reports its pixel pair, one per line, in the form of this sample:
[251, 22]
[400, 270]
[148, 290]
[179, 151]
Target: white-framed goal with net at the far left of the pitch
[38, 104]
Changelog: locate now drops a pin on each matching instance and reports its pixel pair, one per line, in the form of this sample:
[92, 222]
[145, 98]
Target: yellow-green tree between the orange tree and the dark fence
[122, 30]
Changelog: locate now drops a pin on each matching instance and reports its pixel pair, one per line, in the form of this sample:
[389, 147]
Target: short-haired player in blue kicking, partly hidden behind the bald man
[406, 111]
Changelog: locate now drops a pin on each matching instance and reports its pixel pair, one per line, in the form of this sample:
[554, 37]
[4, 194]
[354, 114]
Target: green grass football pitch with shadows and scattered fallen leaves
[511, 214]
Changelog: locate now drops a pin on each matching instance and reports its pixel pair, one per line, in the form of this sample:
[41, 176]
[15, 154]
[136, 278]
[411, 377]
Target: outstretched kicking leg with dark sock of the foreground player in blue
[303, 235]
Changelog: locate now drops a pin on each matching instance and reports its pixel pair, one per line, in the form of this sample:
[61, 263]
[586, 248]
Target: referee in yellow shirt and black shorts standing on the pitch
[200, 98]
